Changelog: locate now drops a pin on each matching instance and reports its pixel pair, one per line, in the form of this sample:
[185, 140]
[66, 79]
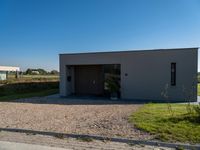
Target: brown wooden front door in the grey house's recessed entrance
[89, 80]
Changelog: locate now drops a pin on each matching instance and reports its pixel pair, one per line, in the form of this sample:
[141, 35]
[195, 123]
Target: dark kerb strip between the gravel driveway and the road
[101, 138]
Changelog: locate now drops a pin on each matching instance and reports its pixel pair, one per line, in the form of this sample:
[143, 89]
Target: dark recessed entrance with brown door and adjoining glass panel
[95, 80]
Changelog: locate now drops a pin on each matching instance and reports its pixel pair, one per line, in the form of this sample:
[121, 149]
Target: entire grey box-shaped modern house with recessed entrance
[152, 75]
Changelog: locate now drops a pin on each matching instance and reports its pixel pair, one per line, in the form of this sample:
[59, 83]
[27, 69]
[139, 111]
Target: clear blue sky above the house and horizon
[34, 32]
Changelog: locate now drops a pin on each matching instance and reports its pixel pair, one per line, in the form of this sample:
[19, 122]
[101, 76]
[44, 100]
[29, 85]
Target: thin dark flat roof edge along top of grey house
[125, 51]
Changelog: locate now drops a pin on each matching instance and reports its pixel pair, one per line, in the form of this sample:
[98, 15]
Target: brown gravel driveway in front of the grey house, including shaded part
[104, 118]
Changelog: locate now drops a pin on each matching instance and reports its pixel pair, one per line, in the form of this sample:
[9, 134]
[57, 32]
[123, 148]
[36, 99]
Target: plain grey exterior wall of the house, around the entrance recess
[148, 72]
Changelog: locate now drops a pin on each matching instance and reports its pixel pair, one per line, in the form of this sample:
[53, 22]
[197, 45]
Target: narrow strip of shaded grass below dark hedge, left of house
[28, 95]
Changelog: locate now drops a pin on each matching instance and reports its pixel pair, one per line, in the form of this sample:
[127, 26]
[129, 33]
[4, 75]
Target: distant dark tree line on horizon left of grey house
[40, 71]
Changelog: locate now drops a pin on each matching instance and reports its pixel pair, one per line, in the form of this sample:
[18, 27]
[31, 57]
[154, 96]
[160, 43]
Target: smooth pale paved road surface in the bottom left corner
[21, 146]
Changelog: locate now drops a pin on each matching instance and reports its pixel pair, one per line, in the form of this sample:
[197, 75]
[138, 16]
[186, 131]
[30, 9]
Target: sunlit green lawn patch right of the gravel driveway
[158, 120]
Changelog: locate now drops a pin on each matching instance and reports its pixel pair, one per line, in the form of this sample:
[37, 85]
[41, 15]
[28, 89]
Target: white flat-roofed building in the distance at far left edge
[5, 69]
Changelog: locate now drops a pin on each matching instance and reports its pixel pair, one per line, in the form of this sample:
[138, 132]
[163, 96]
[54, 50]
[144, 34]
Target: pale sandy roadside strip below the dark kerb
[66, 143]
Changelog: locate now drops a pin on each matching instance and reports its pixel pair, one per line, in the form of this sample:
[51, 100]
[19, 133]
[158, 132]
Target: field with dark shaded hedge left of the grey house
[28, 86]
